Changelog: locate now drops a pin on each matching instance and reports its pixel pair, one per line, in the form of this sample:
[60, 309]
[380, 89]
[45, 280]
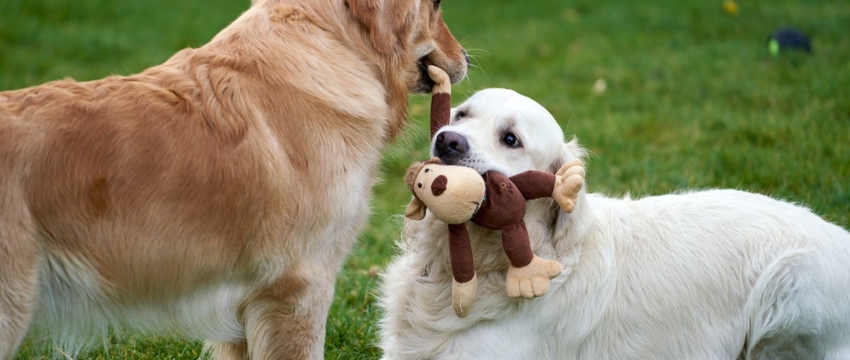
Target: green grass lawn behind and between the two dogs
[693, 101]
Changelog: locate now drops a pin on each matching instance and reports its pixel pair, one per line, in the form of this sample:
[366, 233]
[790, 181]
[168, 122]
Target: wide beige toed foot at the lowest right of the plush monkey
[532, 280]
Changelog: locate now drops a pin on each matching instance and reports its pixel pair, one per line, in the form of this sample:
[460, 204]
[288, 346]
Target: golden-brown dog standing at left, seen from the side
[202, 196]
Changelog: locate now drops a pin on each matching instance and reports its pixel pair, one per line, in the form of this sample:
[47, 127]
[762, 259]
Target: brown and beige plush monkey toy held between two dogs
[456, 194]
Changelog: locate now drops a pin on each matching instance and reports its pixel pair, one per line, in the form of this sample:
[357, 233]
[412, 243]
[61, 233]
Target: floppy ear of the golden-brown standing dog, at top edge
[388, 22]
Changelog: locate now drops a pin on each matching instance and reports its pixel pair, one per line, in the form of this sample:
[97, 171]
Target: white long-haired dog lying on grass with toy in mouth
[719, 274]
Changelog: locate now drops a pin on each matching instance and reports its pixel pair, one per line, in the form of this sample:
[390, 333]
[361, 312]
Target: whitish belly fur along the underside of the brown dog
[74, 294]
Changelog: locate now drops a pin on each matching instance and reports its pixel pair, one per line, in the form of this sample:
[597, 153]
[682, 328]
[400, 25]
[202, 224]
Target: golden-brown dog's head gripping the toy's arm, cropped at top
[412, 32]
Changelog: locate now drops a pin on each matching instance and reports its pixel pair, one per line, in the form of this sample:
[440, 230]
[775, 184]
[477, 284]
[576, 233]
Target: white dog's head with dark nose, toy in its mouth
[501, 130]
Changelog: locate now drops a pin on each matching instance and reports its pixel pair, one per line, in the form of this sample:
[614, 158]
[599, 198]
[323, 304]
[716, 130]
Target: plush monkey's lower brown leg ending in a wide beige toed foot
[528, 276]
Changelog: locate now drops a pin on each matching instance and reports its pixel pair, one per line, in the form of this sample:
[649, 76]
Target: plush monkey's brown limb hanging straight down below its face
[465, 283]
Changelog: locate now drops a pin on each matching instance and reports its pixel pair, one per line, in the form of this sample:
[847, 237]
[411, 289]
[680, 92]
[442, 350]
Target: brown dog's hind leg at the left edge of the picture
[19, 262]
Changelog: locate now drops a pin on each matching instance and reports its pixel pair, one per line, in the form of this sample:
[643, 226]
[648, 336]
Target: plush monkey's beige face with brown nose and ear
[453, 193]
